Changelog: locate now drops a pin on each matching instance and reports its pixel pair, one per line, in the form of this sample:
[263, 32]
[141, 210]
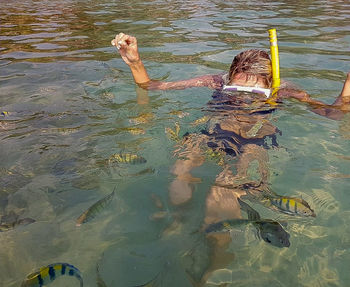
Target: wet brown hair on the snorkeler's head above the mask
[252, 63]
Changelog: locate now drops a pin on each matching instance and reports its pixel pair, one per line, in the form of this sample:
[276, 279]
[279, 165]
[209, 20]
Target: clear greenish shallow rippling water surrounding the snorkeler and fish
[72, 102]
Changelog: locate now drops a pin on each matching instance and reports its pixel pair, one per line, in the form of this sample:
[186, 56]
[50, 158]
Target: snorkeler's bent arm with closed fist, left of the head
[127, 47]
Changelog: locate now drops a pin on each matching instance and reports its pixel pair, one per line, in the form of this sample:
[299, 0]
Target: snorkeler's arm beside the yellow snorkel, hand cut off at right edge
[334, 111]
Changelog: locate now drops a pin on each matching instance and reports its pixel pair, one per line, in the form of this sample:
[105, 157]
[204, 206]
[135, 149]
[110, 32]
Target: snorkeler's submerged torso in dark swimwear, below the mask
[237, 119]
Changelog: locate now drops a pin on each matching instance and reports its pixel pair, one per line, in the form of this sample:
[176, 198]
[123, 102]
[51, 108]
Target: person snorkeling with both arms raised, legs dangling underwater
[239, 126]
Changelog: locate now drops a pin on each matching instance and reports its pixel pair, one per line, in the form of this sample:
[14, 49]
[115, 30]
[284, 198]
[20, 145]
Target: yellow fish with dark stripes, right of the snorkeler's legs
[292, 205]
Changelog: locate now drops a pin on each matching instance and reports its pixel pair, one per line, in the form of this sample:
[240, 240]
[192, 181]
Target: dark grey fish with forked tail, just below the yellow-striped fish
[269, 230]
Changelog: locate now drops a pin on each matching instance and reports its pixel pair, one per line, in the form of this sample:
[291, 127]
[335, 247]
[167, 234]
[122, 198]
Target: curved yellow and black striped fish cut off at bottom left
[49, 273]
